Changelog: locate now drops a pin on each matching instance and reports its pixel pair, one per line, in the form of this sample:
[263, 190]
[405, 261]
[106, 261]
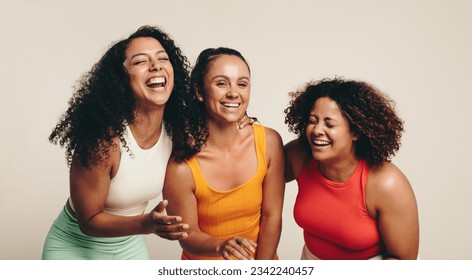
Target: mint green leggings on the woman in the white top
[65, 241]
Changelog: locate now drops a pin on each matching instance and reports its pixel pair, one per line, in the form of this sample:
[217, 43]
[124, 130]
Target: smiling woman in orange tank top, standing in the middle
[228, 184]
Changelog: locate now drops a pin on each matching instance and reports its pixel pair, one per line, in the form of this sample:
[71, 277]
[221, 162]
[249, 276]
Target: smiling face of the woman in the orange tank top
[227, 89]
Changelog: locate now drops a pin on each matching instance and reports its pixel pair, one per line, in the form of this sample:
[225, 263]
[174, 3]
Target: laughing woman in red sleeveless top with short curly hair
[352, 202]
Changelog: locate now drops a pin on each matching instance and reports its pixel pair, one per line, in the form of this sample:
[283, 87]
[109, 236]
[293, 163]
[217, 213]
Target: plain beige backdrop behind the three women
[419, 52]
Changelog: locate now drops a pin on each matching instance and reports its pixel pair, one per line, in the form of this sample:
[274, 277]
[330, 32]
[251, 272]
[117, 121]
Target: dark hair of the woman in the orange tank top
[197, 125]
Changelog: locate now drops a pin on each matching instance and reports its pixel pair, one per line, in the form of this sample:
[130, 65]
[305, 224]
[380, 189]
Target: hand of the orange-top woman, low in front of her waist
[239, 247]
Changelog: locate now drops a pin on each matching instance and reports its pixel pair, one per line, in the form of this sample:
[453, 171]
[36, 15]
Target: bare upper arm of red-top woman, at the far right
[391, 197]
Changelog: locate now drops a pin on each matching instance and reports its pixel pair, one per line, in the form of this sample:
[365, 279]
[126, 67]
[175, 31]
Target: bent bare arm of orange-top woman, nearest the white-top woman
[179, 191]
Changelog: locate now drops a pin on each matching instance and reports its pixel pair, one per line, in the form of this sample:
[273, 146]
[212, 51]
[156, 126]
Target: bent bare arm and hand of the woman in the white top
[89, 190]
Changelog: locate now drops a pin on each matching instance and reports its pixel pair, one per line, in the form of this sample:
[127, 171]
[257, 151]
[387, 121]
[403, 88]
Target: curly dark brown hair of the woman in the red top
[370, 114]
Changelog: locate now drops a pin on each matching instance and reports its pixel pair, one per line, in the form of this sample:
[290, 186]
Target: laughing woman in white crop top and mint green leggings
[125, 116]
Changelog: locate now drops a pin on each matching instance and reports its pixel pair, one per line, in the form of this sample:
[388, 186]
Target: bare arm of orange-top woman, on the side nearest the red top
[272, 198]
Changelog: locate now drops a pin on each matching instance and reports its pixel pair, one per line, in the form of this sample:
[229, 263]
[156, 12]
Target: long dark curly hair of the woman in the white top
[103, 103]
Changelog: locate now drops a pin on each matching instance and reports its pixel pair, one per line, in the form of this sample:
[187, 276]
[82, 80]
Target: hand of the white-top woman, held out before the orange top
[168, 227]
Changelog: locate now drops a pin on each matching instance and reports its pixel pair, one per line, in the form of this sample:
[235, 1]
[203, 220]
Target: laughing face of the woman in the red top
[328, 132]
